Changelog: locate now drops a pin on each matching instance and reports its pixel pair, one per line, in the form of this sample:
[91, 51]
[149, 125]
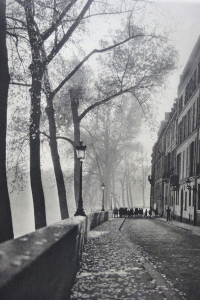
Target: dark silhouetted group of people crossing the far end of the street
[125, 212]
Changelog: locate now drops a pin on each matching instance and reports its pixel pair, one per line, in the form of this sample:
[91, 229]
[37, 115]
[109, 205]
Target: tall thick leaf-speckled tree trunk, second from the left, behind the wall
[37, 70]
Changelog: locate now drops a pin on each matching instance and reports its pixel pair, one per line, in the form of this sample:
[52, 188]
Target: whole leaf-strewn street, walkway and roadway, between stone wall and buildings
[147, 259]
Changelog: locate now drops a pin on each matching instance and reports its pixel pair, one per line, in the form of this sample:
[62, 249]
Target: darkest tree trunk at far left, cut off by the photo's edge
[6, 229]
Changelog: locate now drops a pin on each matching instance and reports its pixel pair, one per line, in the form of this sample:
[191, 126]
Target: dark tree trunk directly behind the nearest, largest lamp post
[76, 122]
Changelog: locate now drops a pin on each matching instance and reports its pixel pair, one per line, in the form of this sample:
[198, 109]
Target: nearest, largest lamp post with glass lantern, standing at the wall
[80, 149]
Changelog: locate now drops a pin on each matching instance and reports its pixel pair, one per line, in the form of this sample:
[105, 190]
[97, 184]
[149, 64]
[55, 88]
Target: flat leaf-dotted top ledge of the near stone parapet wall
[19, 253]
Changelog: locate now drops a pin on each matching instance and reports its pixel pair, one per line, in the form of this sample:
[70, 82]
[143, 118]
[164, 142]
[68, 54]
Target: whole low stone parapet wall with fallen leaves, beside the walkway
[43, 264]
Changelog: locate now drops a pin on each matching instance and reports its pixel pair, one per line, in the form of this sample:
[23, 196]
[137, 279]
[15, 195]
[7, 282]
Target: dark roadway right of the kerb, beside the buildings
[174, 249]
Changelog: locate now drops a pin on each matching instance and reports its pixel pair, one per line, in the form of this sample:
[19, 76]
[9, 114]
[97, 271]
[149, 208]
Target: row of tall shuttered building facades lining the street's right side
[175, 169]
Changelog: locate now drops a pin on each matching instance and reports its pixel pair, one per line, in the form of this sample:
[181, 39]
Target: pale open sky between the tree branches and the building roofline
[182, 17]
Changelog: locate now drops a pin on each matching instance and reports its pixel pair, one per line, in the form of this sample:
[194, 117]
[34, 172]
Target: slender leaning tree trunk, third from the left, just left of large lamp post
[56, 160]
